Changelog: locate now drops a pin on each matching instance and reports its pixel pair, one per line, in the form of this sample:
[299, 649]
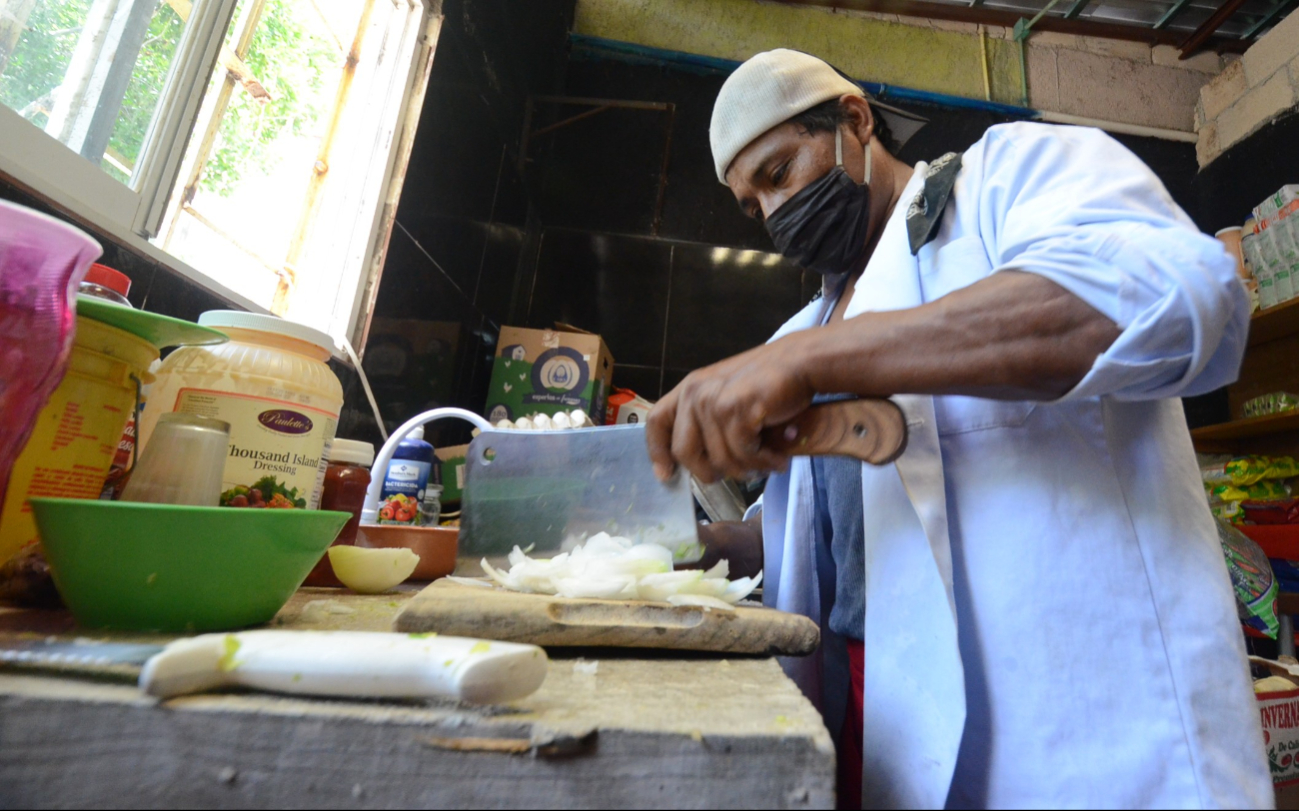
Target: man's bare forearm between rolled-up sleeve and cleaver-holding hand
[1013, 336]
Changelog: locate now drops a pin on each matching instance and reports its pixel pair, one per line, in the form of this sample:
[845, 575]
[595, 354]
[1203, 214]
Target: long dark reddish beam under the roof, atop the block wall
[996, 18]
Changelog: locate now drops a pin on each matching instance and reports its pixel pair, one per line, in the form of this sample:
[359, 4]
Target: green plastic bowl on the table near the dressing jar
[168, 569]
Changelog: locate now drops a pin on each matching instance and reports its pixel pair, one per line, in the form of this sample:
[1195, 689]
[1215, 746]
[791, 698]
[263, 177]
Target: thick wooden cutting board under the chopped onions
[496, 614]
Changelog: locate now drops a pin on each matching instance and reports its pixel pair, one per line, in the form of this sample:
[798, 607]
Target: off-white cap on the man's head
[766, 92]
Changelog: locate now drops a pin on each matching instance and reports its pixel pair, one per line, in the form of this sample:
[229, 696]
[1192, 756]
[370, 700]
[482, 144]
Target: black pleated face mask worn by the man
[824, 227]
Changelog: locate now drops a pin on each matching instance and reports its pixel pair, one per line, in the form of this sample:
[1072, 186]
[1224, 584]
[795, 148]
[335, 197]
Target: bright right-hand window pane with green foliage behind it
[247, 181]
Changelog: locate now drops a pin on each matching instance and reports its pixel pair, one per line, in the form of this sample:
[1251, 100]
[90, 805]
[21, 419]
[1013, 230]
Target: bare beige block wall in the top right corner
[1250, 93]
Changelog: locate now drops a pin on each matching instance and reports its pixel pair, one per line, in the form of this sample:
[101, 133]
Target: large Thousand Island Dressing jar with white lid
[272, 385]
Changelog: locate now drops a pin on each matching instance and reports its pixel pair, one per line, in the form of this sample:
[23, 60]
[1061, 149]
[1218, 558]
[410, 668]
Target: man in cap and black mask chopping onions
[1033, 597]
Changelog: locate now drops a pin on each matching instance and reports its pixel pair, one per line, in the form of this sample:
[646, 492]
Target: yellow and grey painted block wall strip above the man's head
[1106, 80]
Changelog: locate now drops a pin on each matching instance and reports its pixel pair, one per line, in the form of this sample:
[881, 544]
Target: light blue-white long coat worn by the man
[1049, 615]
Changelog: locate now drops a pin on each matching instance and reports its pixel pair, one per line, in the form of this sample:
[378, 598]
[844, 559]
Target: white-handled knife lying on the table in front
[359, 665]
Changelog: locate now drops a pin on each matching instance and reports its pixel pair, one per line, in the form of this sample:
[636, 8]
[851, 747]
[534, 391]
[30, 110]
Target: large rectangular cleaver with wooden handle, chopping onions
[553, 491]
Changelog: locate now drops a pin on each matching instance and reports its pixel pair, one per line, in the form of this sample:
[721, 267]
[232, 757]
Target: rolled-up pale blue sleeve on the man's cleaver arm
[1074, 206]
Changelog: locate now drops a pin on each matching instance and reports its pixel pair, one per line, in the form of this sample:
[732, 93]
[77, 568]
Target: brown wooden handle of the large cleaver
[874, 431]
